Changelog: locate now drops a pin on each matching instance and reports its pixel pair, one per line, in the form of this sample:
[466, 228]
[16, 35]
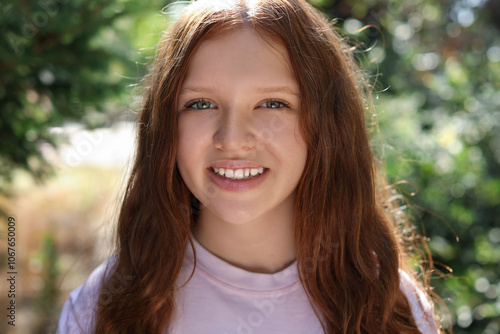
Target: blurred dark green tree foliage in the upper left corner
[64, 61]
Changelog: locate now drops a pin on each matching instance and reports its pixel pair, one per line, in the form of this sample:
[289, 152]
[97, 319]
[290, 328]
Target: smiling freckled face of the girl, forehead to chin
[240, 151]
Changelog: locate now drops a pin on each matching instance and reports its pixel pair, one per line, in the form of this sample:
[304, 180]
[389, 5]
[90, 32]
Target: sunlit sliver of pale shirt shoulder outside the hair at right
[421, 306]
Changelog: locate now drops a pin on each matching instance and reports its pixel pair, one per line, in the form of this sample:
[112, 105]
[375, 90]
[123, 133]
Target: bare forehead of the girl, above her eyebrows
[242, 53]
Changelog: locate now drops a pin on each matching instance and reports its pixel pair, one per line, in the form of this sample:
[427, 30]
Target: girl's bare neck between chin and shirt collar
[264, 245]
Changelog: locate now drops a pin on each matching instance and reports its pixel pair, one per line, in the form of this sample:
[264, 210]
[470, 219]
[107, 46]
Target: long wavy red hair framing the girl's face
[349, 252]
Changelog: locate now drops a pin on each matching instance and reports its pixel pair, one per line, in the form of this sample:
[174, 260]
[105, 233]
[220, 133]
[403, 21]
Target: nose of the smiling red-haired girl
[234, 132]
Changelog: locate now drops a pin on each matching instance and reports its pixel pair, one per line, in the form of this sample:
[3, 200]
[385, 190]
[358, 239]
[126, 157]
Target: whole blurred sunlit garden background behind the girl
[70, 75]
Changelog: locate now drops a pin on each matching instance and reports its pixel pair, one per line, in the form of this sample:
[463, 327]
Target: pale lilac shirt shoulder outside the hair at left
[78, 312]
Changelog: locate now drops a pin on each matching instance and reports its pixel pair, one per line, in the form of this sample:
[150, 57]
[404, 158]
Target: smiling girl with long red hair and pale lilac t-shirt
[254, 204]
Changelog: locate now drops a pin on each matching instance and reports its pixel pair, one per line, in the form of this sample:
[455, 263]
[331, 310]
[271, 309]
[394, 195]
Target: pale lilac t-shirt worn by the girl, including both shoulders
[223, 299]
